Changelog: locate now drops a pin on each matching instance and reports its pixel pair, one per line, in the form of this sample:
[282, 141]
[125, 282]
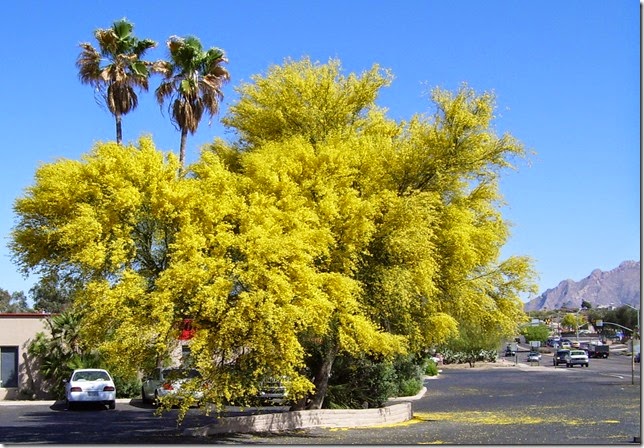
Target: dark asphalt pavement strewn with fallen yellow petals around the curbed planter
[503, 404]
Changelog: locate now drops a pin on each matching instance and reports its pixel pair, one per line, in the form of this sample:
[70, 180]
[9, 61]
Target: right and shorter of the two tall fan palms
[193, 80]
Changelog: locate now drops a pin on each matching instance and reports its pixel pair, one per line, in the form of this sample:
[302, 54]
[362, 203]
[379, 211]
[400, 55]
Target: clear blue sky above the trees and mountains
[566, 76]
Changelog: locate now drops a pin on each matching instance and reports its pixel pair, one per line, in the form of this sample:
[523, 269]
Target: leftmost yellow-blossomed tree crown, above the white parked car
[108, 221]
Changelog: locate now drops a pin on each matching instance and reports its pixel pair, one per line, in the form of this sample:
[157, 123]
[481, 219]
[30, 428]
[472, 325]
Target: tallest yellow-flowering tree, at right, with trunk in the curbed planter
[411, 210]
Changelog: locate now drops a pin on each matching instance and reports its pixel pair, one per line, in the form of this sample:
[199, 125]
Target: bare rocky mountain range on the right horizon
[601, 288]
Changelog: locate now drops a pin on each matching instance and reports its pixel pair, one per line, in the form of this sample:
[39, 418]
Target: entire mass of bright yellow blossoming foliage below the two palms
[326, 230]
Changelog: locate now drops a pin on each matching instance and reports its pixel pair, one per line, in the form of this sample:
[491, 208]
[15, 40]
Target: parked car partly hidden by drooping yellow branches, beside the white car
[167, 381]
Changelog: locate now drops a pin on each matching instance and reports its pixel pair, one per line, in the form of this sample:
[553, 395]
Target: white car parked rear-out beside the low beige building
[90, 386]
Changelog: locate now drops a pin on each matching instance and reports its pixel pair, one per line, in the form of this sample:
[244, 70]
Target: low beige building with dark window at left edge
[19, 372]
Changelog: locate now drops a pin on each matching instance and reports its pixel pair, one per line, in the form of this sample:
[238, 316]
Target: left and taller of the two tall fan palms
[116, 68]
